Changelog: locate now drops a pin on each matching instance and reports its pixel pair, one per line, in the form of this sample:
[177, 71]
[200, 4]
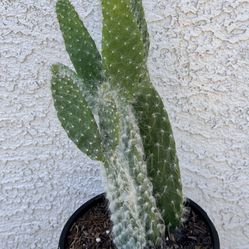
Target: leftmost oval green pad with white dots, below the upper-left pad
[74, 113]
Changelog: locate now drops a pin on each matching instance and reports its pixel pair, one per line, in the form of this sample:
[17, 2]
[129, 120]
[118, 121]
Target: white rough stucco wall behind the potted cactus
[199, 62]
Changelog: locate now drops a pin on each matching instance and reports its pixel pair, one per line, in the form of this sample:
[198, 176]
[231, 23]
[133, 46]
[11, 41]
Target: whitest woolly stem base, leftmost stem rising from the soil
[128, 230]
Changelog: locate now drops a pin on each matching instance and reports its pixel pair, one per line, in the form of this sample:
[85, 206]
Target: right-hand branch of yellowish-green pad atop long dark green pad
[125, 60]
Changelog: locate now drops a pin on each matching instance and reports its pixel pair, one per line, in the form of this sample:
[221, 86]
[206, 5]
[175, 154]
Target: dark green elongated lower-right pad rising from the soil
[162, 161]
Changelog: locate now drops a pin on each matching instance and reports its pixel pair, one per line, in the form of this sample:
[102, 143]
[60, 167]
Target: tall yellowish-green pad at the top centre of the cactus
[123, 49]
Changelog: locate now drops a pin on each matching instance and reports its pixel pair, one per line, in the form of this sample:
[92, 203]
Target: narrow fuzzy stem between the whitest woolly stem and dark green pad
[133, 150]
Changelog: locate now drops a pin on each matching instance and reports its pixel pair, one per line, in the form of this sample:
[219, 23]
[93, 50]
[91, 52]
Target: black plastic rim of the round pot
[100, 198]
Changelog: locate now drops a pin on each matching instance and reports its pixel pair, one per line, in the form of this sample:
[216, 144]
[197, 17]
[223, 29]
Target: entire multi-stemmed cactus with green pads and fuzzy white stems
[111, 111]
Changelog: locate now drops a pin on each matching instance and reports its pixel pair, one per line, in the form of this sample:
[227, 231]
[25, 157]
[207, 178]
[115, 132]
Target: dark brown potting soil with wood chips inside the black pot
[93, 231]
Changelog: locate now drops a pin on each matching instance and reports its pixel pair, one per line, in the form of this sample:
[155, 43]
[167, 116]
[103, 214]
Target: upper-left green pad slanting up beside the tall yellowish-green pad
[79, 45]
